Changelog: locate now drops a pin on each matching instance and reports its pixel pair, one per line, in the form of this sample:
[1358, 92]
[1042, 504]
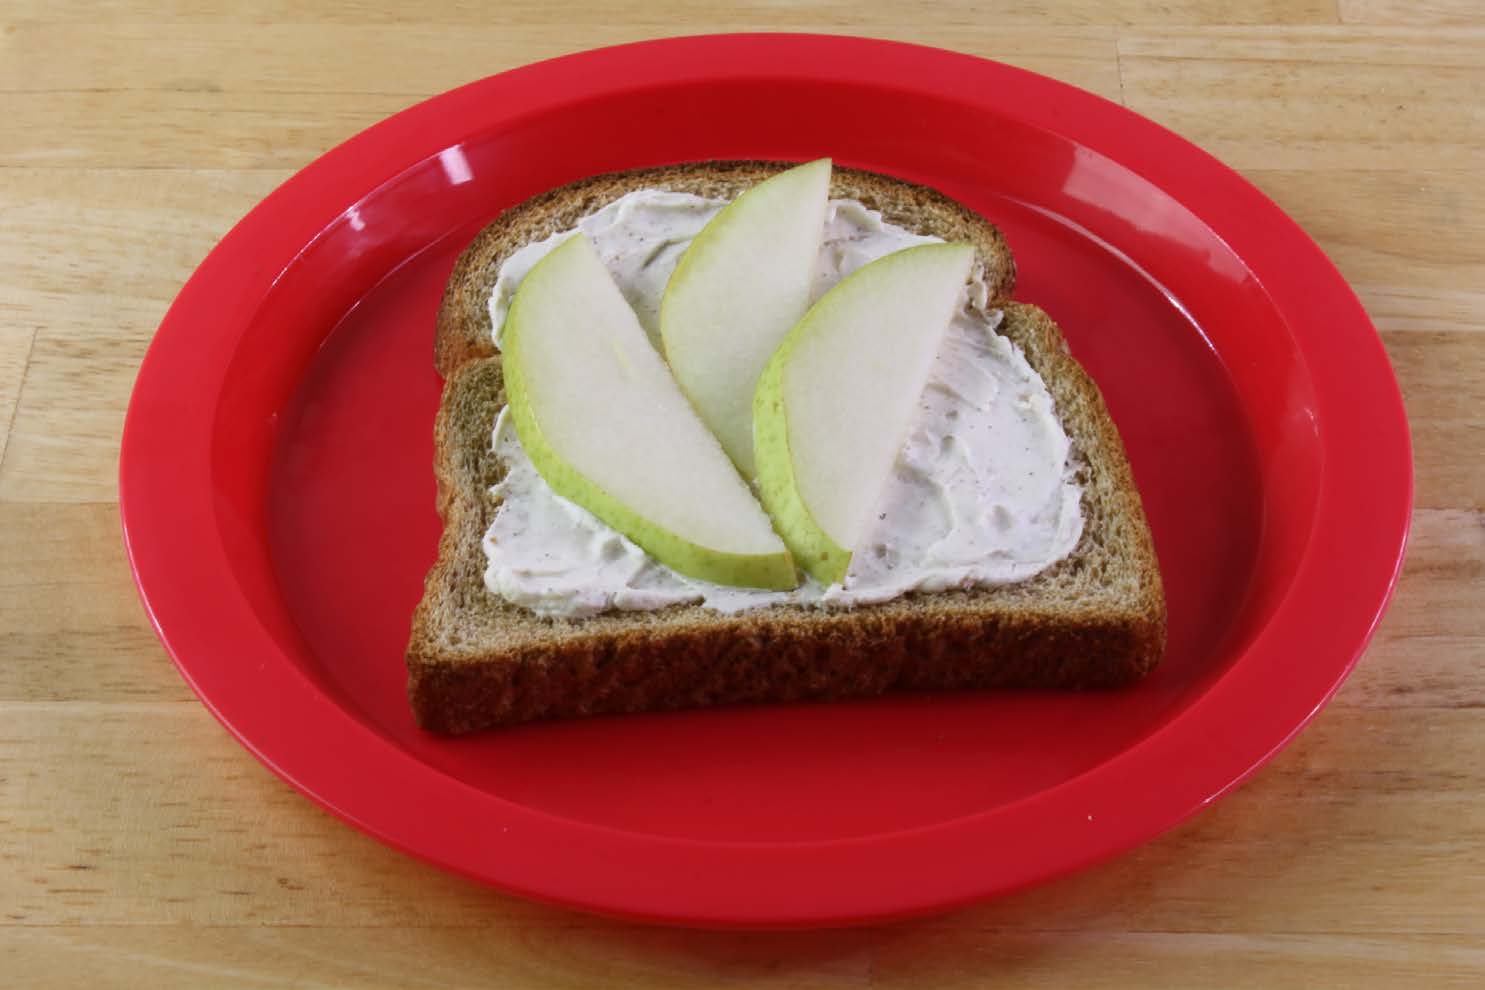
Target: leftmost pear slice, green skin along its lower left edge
[605, 425]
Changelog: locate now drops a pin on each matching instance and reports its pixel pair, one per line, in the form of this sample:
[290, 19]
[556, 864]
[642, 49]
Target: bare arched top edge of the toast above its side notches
[464, 318]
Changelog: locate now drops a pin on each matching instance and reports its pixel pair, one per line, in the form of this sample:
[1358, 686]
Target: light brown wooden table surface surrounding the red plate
[142, 847]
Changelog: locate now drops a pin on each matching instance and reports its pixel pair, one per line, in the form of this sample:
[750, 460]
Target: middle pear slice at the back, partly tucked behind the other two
[739, 289]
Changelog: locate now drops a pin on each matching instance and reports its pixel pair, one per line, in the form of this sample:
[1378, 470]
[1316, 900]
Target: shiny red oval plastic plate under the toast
[278, 496]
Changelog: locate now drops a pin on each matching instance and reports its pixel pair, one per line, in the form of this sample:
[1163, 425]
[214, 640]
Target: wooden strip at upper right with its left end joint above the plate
[1308, 99]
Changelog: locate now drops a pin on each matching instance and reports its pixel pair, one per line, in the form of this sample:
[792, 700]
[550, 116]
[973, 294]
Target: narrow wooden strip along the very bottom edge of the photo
[372, 960]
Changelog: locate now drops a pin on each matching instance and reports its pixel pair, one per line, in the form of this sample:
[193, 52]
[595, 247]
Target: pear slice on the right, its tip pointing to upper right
[837, 400]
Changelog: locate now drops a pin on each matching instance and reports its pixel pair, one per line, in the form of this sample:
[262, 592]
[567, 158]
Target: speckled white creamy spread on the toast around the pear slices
[982, 492]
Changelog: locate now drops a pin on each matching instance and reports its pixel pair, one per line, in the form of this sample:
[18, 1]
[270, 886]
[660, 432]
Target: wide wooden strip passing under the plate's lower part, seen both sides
[1370, 825]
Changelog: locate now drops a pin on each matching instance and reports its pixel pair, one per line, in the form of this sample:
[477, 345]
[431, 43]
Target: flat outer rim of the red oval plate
[798, 884]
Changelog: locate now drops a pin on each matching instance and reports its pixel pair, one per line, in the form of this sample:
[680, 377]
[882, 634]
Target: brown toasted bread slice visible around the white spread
[1095, 620]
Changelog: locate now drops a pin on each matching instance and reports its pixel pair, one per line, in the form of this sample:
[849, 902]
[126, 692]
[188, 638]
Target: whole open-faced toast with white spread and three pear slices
[740, 433]
